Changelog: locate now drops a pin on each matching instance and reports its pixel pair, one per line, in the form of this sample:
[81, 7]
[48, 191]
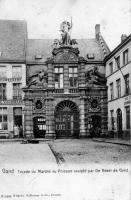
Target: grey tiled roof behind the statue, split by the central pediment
[43, 47]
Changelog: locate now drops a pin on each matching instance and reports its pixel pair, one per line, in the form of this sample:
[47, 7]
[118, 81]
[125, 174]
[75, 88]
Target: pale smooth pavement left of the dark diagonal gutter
[18, 153]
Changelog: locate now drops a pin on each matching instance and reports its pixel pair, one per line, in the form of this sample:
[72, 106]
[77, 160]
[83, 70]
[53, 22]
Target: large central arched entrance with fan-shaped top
[66, 120]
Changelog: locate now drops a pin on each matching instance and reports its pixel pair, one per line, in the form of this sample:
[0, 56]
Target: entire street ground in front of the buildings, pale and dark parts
[65, 151]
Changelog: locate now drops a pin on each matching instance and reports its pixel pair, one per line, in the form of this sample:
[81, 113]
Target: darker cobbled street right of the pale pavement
[75, 151]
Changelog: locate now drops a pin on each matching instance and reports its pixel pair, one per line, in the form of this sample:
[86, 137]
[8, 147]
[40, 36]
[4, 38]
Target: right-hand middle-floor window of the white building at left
[17, 91]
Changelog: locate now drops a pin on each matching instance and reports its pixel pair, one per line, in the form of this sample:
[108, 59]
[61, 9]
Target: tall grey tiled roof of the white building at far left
[13, 34]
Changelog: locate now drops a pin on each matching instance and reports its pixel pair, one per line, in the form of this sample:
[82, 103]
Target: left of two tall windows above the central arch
[58, 77]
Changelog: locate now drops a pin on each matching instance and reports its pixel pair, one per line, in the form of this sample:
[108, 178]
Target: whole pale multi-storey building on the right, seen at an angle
[118, 73]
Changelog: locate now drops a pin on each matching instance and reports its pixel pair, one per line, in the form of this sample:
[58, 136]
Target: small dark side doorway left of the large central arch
[39, 127]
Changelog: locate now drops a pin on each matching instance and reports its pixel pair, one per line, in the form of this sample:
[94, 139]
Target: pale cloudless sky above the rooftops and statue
[45, 16]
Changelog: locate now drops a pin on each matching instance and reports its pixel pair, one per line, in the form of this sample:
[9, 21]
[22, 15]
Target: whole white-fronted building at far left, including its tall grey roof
[13, 37]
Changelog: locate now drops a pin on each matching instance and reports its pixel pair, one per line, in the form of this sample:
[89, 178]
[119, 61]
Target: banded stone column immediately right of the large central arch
[82, 118]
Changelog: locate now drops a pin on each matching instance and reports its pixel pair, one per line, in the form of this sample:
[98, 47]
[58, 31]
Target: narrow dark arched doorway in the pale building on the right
[119, 122]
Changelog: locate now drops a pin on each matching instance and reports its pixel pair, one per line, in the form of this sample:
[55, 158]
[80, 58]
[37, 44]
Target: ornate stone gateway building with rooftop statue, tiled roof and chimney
[66, 93]
